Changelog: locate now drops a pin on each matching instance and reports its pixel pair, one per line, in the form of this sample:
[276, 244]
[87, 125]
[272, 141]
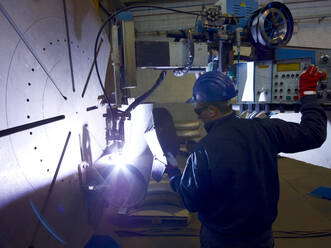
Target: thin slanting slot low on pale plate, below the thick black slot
[43, 210]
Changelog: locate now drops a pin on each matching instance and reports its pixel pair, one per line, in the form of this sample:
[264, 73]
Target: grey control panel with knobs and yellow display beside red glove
[276, 83]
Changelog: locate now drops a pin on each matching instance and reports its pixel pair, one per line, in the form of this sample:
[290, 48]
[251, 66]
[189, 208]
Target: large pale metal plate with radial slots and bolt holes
[36, 119]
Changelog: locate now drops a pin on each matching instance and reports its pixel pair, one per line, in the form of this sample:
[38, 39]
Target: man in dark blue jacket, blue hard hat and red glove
[231, 178]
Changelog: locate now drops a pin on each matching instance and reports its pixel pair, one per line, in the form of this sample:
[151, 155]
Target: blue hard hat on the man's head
[213, 86]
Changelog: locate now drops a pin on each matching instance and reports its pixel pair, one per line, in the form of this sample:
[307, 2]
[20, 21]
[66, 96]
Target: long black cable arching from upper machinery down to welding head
[103, 26]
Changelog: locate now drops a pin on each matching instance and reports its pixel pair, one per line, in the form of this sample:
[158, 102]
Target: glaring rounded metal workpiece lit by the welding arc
[127, 170]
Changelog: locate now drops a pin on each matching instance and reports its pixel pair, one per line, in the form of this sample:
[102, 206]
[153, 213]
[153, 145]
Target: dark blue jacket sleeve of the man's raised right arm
[310, 133]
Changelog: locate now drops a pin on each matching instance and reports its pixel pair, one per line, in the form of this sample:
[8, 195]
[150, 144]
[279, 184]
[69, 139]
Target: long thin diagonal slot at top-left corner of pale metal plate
[34, 54]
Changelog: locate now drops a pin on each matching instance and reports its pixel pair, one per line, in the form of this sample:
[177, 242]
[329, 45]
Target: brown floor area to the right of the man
[297, 209]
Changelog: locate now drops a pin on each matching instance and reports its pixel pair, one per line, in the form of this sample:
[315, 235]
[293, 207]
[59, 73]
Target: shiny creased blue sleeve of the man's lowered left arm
[194, 185]
